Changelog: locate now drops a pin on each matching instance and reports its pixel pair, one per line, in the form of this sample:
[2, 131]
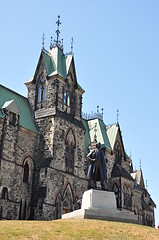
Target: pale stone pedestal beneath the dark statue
[101, 205]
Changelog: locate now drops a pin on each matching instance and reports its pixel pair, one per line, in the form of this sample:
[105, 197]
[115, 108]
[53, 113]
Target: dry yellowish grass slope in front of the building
[75, 229]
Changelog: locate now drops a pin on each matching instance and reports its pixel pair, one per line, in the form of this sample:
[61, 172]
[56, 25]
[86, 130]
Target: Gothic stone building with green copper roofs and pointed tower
[44, 141]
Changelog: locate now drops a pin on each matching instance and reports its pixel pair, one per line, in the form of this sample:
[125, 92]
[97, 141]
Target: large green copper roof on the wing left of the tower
[26, 114]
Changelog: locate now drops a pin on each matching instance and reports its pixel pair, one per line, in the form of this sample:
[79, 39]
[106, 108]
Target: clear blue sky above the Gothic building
[116, 48]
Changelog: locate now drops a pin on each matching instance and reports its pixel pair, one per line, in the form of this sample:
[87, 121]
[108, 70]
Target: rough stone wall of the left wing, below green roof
[18, 144]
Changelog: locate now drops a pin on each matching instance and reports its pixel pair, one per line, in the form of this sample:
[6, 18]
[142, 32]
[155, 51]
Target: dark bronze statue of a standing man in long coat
[97, 170]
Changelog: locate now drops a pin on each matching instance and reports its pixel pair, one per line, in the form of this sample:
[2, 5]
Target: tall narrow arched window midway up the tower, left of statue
[70, 147]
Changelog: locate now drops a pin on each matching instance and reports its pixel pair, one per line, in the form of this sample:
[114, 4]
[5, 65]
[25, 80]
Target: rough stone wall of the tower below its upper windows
[53, 175]
